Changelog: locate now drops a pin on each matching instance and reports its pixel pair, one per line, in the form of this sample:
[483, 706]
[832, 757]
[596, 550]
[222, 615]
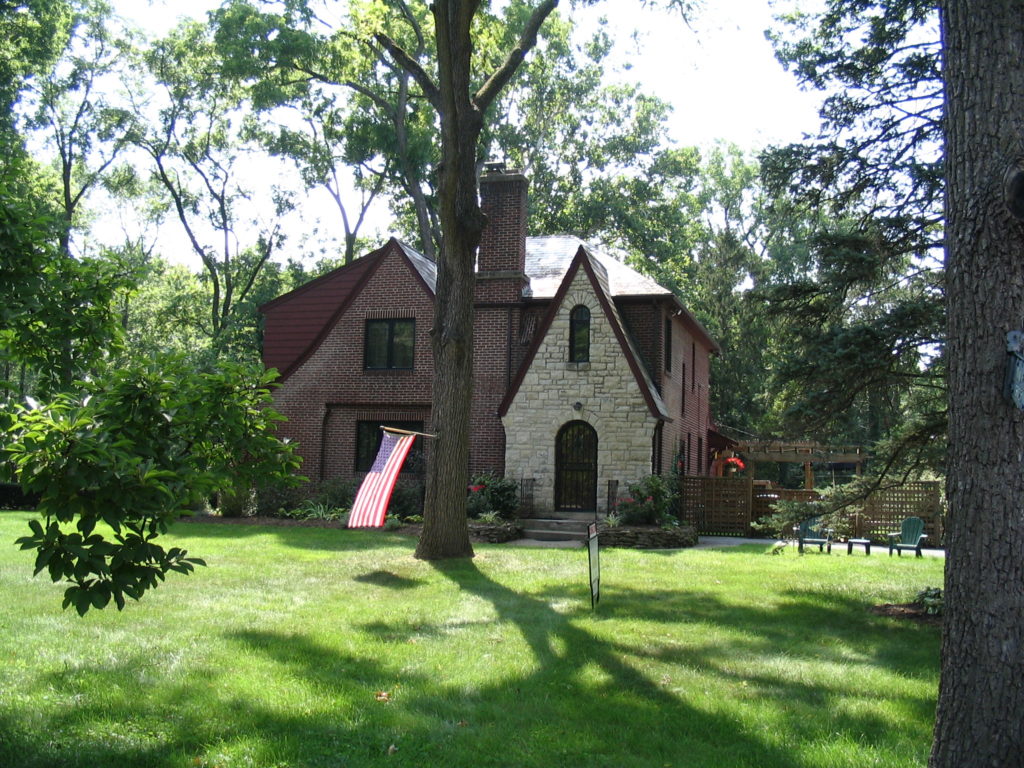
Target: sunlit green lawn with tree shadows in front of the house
[326, 648]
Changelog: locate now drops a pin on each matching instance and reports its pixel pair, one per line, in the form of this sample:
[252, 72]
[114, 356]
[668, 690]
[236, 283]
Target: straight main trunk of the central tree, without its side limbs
[445, 531]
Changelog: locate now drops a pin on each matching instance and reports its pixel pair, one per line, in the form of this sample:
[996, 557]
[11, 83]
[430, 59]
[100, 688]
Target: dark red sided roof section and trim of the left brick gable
[300, 320]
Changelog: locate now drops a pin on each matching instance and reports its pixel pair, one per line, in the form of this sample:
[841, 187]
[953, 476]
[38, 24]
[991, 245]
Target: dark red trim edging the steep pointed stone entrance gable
[600, 279]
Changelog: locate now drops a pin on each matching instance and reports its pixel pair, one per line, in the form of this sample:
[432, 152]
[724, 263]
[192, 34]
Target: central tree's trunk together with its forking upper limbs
[461, 96]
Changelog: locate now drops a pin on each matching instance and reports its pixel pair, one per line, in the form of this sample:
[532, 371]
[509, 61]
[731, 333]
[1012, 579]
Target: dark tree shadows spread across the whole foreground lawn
[577, 695]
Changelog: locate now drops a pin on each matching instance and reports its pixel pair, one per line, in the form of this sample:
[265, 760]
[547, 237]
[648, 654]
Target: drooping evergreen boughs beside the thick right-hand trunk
[864, 319]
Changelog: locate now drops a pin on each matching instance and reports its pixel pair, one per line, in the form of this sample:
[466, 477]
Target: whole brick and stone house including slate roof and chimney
[586, 372]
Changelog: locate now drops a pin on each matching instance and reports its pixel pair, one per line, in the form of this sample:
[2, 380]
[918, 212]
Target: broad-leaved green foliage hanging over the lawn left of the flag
[114, 468]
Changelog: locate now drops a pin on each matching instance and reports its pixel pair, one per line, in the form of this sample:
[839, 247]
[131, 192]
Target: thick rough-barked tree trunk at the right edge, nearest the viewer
[980, 719]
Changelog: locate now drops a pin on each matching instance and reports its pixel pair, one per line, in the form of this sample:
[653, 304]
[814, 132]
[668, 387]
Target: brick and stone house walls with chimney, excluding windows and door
[316, 336]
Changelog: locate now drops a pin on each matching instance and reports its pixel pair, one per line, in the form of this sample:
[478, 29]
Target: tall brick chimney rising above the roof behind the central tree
[501, 262]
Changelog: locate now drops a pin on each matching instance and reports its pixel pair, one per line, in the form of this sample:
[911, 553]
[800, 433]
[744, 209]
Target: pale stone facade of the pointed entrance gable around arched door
[609, 396]
